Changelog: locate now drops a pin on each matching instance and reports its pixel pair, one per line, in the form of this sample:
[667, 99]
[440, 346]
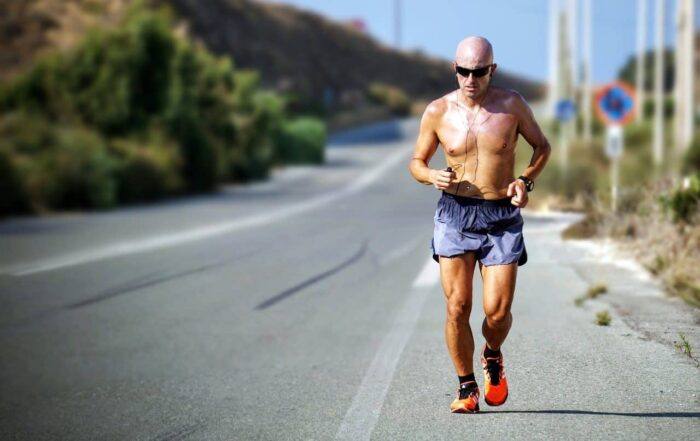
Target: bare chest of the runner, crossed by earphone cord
[491, 132]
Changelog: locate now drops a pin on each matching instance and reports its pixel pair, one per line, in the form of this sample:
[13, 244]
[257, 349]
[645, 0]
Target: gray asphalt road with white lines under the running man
[306, 307]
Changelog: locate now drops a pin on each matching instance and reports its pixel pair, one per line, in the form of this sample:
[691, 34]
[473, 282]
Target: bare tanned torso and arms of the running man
[479, 142]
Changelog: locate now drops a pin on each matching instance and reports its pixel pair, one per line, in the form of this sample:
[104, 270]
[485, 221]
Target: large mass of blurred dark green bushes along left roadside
[112, 89]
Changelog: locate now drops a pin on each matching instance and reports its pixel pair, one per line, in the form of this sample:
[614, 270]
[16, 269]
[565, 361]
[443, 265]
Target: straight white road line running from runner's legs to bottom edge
[366, 406]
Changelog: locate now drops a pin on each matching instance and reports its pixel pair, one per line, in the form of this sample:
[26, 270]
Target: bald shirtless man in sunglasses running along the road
[478, 215]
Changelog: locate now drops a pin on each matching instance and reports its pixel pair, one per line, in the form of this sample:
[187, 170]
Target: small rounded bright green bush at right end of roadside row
[302, 140]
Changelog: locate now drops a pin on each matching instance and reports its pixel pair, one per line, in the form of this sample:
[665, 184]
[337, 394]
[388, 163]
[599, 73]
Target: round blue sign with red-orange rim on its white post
[615, 104]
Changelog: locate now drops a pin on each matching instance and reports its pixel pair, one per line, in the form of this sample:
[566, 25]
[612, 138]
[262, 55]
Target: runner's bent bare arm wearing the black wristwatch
[531, 131]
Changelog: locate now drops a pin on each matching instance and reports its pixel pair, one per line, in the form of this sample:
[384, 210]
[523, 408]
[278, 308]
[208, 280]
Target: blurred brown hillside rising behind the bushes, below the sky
[294, 50]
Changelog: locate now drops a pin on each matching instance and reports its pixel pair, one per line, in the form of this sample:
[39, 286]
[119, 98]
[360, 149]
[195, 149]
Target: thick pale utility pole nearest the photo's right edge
[683, 114]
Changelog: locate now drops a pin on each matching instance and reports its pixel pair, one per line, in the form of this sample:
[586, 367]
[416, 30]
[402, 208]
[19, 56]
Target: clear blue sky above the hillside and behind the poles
[518, 29]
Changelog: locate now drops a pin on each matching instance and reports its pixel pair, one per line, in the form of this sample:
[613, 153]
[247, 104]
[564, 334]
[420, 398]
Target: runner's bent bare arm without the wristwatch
[426, 145]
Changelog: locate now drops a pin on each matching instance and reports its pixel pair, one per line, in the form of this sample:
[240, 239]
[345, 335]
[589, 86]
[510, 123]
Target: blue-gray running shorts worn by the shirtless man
[492, 229]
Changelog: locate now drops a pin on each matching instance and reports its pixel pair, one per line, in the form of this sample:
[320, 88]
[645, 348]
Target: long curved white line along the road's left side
[163, 241]
